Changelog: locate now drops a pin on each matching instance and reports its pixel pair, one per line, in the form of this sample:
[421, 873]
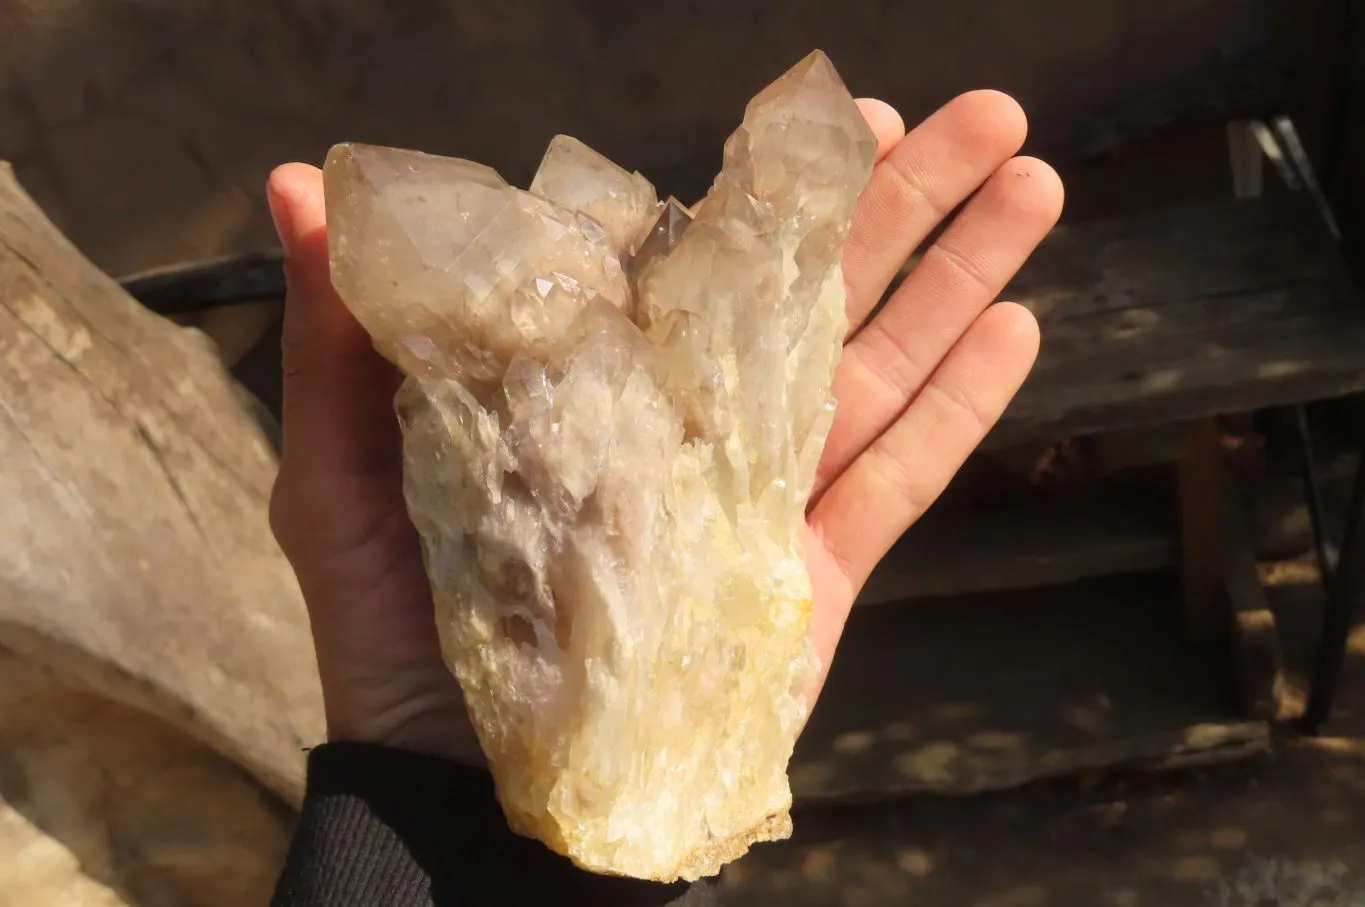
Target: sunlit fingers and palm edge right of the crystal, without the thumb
[925, 380]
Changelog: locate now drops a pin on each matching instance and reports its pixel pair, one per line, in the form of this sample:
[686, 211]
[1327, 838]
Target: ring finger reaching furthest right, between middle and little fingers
[959, 277]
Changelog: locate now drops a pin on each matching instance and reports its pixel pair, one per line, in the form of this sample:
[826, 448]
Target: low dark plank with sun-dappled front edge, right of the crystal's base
[990, 692]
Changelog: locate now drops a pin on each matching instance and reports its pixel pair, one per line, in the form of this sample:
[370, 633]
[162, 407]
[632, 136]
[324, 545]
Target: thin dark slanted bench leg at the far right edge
[1345, 604]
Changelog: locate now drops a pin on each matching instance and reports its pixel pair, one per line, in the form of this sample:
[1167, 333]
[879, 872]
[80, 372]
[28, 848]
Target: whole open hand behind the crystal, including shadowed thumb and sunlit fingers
[919, 387]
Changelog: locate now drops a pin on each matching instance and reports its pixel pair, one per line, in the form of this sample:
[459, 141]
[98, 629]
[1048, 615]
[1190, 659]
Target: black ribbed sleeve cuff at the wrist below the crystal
[387, 828]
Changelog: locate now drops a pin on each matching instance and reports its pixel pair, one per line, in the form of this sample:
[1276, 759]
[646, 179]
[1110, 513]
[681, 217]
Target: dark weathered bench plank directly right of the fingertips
[1187, 313]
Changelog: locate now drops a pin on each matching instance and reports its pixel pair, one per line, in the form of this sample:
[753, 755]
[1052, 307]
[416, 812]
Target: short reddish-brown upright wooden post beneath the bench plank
[1202, 527]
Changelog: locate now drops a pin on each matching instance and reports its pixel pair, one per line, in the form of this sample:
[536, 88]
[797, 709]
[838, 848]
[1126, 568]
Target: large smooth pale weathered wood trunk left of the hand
[136, 554]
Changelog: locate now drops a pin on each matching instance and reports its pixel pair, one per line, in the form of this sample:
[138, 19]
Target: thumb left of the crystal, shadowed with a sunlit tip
[338, 390]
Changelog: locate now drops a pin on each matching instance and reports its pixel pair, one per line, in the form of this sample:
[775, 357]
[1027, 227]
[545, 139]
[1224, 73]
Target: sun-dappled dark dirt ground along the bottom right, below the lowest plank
[1281, 831]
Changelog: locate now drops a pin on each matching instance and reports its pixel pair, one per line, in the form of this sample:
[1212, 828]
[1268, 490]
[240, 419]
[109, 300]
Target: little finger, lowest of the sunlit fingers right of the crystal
[904, 471]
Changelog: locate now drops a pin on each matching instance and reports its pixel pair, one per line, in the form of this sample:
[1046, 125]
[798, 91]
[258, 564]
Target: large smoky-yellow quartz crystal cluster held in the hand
[612, 415]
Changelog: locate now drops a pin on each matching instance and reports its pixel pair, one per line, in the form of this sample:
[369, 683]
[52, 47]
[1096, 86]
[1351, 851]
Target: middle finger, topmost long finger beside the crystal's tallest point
[929, 174]
